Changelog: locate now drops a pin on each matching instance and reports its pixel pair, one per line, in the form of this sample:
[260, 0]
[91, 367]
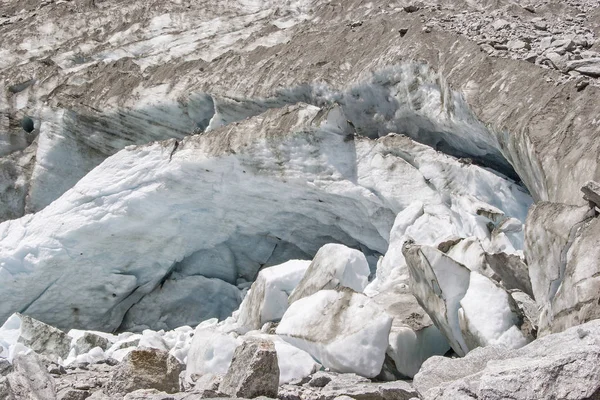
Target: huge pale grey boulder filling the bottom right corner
[563, 365]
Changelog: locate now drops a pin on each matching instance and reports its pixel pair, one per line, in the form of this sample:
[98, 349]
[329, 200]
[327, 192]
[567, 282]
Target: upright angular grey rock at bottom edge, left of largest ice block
[253, 371]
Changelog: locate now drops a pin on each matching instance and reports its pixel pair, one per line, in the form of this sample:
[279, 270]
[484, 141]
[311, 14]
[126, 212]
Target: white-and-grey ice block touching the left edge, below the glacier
[23, 331]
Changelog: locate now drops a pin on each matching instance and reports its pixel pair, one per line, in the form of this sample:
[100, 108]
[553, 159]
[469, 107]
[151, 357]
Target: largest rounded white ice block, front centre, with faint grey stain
[343, 330]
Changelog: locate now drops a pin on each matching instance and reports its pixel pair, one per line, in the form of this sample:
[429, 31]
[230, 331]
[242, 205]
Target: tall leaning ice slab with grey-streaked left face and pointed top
[439, 283]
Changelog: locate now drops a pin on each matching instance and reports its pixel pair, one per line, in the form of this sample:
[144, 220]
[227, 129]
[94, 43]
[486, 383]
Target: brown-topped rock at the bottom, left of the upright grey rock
[146, 369]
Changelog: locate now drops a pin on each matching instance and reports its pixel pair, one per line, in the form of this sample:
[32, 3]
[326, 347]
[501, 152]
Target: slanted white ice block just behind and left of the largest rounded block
[268, 296]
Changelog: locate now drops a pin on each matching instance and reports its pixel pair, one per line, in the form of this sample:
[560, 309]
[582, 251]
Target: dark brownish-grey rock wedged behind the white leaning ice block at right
[512, 271]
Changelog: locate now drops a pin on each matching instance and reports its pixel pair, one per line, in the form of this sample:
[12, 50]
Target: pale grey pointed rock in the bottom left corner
[30, 380]
